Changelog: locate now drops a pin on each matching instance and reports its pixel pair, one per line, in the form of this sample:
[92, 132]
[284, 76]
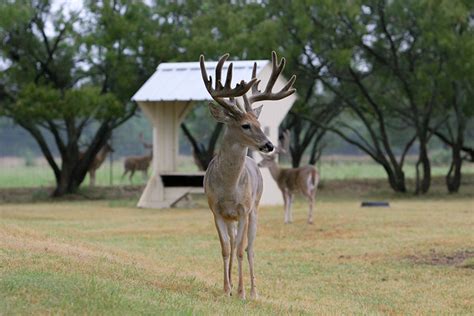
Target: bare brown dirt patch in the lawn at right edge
[458, 258]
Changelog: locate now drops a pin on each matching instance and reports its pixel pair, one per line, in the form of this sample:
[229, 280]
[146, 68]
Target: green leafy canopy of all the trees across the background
[389, 66]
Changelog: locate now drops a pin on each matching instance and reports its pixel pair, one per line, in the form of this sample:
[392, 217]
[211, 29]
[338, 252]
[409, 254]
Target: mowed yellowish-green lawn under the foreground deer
[415, 257]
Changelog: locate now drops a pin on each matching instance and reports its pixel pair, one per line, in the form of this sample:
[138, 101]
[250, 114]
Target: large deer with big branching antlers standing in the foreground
[233, 183]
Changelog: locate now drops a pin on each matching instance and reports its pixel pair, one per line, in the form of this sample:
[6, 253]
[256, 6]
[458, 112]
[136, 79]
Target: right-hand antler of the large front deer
[267, 94]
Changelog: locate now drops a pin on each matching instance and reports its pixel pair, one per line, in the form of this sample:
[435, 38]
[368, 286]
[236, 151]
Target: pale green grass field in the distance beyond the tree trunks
[344, 167]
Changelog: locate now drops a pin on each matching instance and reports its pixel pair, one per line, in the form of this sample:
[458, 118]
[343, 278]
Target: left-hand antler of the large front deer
[220, 92]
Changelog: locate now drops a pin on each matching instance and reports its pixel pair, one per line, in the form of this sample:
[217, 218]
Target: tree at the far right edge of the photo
[456, 89]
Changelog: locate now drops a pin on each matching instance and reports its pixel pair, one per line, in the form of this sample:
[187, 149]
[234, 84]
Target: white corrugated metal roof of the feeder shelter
[183, 81]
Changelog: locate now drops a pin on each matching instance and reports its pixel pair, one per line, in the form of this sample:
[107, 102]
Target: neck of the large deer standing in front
[231, 159]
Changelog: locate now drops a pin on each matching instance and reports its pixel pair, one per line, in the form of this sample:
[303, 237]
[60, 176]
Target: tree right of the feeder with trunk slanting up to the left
[333, 58]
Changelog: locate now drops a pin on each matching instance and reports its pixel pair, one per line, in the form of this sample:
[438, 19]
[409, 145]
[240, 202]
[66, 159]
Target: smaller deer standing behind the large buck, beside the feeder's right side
[291, 180]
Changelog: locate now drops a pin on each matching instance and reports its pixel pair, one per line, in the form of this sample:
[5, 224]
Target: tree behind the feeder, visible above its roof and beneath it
[210, 28]
